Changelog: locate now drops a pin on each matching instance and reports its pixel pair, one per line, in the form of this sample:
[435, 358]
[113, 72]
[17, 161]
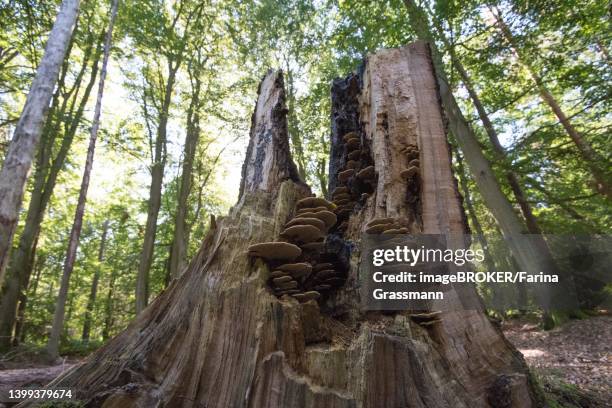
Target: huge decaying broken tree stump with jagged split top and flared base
[219, 337]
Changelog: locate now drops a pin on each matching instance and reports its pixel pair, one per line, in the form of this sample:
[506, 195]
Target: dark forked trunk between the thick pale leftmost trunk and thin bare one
[46, 175]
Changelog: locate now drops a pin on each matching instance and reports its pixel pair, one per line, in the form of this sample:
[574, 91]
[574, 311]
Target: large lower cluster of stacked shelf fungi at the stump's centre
[299, 265]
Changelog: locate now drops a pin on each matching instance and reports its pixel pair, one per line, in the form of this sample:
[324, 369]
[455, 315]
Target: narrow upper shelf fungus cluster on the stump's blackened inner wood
[356, 179]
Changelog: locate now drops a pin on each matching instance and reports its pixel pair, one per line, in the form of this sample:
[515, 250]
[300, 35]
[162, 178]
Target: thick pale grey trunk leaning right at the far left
[19, 157]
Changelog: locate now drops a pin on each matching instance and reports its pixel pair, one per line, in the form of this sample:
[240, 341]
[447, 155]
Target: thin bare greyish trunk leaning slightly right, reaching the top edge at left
[75, 233]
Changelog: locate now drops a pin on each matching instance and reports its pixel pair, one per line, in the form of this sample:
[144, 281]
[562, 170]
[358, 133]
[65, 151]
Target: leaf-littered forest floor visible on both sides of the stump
[573, 362]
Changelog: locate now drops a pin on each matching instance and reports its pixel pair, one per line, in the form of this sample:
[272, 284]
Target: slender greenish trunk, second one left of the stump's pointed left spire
[155, 192]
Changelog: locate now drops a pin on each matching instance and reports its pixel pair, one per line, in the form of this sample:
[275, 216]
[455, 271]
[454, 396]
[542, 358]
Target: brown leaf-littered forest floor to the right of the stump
[575, 357]
